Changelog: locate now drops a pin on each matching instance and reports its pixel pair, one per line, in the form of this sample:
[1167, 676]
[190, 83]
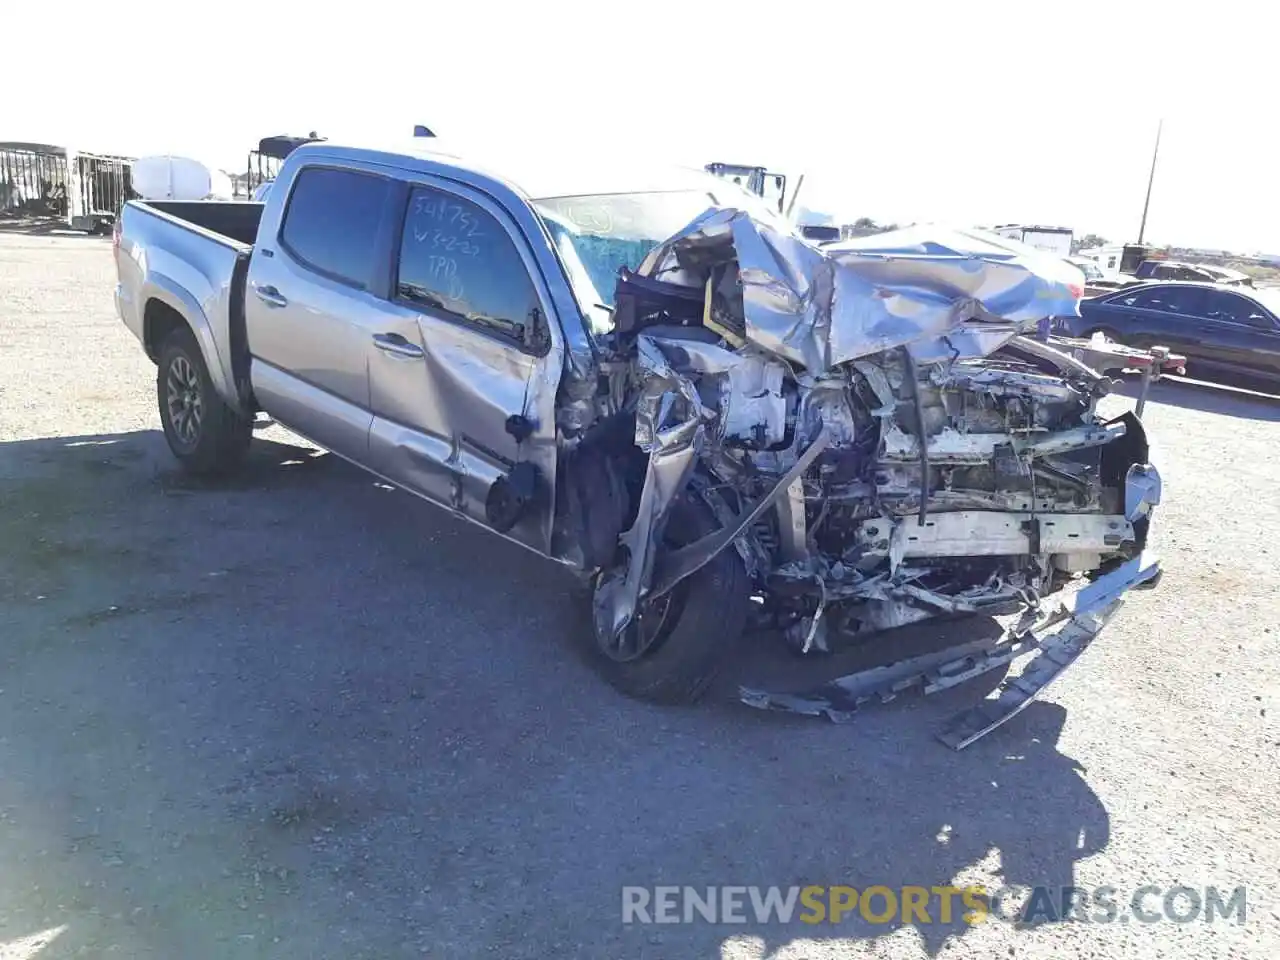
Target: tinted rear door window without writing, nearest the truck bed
[332, 222]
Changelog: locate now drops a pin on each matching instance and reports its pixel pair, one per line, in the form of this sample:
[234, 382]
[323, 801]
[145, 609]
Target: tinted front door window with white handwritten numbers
[458, 259]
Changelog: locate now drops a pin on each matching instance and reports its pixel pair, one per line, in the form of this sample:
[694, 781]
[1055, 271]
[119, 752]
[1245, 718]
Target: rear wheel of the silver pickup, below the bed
[205, 436]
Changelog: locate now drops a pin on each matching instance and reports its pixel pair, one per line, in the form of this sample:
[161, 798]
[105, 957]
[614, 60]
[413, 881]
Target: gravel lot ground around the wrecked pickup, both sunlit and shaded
[303, 716]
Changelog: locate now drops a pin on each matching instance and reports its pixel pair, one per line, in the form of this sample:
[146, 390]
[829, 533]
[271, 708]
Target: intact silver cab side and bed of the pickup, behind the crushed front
[316, 309]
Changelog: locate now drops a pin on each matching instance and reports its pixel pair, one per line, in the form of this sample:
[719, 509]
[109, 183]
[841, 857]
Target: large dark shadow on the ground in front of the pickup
[308, 716]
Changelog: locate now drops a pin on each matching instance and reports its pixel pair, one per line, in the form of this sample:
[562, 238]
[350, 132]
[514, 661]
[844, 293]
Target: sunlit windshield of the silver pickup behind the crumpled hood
[597, 236]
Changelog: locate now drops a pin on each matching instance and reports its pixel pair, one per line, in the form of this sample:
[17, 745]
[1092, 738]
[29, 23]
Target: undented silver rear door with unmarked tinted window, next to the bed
[314, 291]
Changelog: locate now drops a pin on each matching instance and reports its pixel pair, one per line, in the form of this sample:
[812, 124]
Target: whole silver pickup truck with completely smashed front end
[652, 380]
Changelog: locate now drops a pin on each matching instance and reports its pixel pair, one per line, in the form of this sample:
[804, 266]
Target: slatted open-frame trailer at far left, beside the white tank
[47, 182]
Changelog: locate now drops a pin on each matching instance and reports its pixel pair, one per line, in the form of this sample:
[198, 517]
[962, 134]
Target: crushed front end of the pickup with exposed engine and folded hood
[880, 440]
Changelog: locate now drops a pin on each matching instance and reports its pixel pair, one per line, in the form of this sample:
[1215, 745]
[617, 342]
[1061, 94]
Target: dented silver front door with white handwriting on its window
[467, 363]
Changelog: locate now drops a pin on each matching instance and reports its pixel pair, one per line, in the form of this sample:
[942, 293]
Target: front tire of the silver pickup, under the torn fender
[706, 616]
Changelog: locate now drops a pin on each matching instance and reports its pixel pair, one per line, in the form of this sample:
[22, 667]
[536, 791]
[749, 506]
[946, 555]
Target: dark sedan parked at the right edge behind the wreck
[1229, 335]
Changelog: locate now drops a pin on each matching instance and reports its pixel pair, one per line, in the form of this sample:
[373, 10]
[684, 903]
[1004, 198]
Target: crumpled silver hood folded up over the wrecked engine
[941, 294]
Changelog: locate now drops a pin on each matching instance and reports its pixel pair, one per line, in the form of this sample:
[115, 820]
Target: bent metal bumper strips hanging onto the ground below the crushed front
[1060, 637]
